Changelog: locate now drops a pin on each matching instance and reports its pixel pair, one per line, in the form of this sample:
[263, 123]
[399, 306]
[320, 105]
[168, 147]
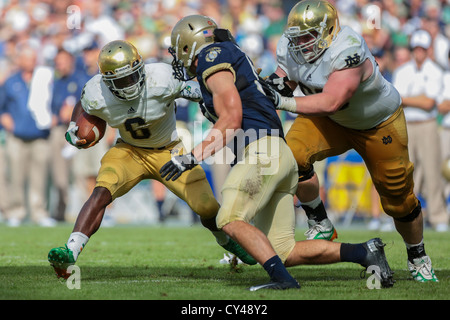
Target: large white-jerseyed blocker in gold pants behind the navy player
[347, 104]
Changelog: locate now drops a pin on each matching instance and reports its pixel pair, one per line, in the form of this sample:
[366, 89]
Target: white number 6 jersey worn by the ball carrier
[148, 121]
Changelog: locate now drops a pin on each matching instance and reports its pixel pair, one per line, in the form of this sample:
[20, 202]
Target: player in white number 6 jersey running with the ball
[139, 100]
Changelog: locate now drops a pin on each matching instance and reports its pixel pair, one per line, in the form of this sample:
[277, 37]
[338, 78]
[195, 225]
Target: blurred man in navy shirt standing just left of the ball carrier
[66, 92]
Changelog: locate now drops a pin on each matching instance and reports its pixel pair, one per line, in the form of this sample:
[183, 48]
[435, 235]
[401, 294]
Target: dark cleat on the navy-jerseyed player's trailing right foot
[376, 257]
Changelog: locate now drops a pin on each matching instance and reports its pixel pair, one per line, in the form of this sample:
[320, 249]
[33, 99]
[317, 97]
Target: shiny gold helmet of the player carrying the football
[122, 69]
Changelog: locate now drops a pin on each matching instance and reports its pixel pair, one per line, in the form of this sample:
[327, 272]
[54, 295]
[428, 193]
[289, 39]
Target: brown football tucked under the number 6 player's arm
[90, 128]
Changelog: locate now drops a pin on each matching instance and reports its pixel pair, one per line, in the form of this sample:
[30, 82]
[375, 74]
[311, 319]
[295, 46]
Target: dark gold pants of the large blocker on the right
[384, 150]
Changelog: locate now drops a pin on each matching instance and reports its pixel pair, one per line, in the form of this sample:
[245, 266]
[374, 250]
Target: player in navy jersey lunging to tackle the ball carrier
[260, 186]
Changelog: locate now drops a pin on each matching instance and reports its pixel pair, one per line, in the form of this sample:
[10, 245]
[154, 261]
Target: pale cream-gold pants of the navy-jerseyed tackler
[260, 189]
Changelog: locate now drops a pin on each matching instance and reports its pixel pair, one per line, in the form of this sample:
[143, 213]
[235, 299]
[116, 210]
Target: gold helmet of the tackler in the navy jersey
[189, 36]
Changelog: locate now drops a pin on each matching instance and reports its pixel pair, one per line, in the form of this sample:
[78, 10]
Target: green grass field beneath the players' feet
[182, 263]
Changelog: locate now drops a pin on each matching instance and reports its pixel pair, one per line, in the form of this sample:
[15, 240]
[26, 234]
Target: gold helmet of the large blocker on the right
[312, 26]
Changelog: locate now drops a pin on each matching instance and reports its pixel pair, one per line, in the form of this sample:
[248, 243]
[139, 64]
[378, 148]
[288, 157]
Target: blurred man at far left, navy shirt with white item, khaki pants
[26, 116]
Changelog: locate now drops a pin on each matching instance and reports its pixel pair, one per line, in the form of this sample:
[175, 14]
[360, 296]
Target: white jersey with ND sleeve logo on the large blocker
[375, 99]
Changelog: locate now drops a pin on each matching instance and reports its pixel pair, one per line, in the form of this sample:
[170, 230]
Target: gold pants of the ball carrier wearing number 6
[124, 166]
